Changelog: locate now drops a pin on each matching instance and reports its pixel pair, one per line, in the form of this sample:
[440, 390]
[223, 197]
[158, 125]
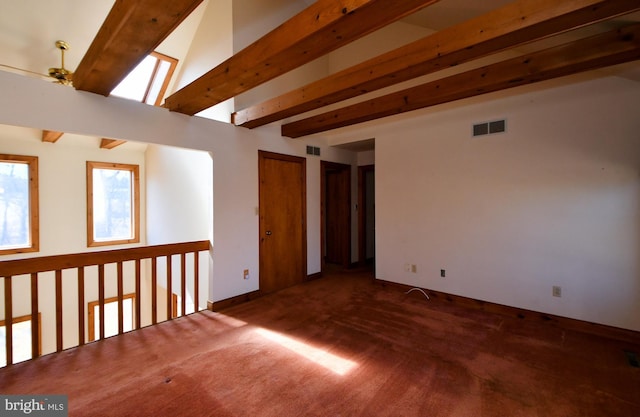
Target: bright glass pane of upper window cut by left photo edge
[14, 205]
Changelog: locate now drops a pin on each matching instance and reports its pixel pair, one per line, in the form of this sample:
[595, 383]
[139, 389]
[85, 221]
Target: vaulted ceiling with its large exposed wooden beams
[543, 39]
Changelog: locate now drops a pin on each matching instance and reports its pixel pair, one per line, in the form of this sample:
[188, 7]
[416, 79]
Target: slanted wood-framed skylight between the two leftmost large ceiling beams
[148, 82]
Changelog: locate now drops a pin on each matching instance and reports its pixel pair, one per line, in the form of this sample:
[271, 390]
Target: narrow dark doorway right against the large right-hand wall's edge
[366, 215]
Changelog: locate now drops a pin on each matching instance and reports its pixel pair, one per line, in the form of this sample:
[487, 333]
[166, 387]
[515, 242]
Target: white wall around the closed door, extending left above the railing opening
[235, 163]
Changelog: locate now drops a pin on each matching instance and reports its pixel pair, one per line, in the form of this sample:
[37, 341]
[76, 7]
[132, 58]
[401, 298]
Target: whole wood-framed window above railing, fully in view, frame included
[113, 203]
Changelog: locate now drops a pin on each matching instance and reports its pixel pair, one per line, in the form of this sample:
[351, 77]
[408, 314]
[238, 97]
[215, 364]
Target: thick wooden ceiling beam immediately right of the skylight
[319, 29]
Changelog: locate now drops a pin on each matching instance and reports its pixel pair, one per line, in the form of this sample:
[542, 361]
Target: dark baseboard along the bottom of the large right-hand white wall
[597, 329]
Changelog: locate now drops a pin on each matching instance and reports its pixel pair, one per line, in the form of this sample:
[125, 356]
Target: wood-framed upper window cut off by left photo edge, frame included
[19, 229]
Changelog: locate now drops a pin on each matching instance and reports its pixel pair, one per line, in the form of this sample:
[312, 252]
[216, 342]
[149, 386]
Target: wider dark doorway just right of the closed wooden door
[336, 214]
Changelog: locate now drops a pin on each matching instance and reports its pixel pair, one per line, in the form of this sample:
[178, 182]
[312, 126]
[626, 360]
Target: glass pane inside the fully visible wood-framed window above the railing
[112, 204]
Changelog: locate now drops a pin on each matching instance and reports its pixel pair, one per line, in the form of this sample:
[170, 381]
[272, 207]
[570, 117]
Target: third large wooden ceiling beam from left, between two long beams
[509, 26]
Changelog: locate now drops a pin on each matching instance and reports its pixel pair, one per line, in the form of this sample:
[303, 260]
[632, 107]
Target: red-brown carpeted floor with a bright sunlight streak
[341, 346]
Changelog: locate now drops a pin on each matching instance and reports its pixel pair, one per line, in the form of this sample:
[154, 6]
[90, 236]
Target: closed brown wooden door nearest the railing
[283, 213]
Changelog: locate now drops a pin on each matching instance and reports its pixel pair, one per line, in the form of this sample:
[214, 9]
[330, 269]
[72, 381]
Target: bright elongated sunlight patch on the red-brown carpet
[323, 358]
